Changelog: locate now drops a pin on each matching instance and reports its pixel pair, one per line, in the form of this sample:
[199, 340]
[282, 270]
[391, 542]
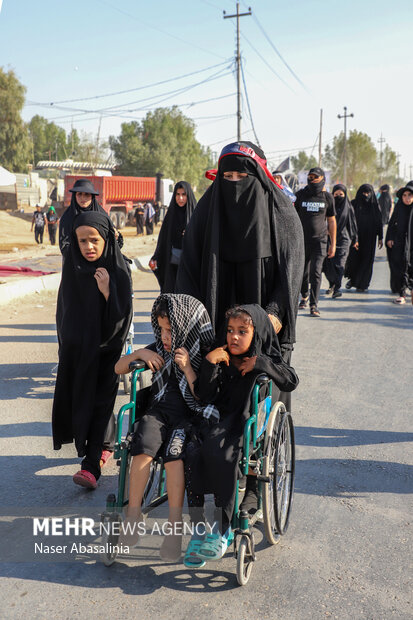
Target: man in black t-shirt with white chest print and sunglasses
[315, 208]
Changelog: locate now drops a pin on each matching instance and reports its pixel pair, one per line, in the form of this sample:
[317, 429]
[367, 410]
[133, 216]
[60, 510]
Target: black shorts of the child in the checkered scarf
[162, 433]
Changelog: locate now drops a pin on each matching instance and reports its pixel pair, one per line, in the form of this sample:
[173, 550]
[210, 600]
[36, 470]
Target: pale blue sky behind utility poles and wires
[73, 56]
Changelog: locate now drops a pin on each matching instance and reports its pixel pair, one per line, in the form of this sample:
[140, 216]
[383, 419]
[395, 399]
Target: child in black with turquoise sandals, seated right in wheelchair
[246, 347]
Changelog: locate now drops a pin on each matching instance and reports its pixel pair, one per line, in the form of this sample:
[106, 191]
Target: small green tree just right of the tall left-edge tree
[48, 140]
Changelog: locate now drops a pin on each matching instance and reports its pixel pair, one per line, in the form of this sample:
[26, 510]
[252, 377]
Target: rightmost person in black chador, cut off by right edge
[396, 243]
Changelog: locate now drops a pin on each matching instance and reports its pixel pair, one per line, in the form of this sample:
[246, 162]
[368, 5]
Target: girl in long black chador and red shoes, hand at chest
[94, 311]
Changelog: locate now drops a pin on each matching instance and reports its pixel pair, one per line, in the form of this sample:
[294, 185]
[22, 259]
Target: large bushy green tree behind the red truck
[164, 142]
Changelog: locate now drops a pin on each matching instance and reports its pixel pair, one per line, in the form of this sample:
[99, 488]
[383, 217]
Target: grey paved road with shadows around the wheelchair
[347, 553]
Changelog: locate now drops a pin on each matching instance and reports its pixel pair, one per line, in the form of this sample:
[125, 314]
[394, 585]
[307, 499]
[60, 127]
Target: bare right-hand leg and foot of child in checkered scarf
[175, 486]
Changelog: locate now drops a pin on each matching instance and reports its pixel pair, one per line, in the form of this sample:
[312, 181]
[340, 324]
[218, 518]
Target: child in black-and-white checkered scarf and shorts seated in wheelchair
[183, 333]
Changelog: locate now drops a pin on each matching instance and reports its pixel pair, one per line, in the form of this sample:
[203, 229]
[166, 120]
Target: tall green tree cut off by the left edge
[14, 139]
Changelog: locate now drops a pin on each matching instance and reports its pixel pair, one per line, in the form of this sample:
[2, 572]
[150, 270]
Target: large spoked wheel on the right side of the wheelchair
[278, 468]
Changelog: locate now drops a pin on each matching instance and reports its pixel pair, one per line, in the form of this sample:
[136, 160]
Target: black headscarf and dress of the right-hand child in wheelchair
[213, 453]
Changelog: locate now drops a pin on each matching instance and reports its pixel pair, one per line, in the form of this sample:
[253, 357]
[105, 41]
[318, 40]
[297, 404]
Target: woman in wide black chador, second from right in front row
[359, 266]
